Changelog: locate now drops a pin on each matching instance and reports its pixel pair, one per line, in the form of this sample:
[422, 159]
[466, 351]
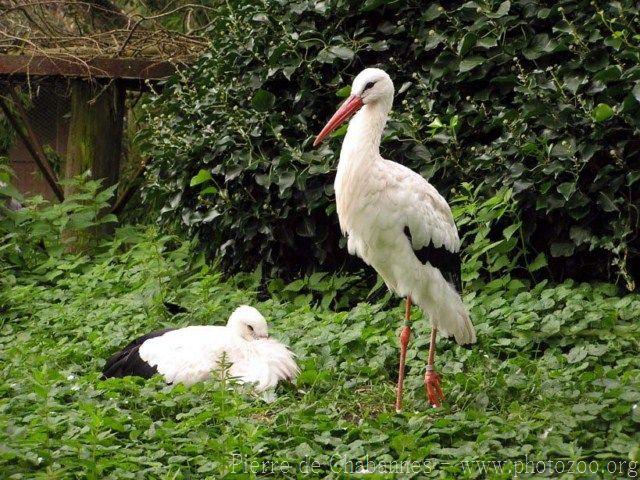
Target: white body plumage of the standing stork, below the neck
[391, 197]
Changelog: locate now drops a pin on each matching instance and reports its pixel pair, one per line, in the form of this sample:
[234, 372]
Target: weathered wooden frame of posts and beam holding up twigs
[115, 75]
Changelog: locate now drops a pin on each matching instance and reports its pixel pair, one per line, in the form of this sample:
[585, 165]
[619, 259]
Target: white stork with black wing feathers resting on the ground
[190, 354]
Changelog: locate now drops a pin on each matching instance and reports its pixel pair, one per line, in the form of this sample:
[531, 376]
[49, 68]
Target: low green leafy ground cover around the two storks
[554, 376]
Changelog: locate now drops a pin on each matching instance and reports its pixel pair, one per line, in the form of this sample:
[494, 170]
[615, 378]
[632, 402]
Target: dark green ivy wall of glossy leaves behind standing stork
[539, 97]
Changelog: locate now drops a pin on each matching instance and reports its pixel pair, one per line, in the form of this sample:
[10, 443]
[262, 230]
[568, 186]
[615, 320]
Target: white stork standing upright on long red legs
[398, 223]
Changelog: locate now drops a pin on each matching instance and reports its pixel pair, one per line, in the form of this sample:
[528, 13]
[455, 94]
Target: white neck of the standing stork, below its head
[362, 141]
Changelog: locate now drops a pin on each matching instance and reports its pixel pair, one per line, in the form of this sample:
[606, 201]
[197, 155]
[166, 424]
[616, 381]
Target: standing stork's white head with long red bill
[372, 86]
